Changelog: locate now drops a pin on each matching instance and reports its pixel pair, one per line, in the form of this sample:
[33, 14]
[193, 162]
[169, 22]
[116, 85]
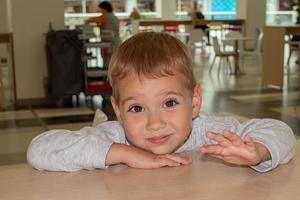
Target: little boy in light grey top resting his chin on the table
[157, 102]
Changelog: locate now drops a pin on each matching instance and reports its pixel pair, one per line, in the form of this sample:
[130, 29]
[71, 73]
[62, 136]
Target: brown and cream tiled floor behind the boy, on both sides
[240, 96]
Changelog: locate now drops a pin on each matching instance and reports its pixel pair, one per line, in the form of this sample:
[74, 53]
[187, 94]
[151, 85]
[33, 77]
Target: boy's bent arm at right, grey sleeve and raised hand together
[262, 144]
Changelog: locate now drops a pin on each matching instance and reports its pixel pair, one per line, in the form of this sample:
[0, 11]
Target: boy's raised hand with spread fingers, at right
[232, 149]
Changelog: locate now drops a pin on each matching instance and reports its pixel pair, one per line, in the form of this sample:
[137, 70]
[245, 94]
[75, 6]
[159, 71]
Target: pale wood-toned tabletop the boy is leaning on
[206, 178]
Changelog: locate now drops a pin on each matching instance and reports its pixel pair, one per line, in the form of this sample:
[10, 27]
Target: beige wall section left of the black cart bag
[30, 20]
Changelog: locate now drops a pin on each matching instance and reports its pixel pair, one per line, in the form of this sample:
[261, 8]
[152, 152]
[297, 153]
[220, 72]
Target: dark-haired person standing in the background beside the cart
[107, 21]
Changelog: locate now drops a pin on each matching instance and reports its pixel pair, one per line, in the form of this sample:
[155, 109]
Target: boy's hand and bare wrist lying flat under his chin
[138, 158]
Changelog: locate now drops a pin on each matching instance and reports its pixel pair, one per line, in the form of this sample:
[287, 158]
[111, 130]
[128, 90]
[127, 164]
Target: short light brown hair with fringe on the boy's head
[151, 55]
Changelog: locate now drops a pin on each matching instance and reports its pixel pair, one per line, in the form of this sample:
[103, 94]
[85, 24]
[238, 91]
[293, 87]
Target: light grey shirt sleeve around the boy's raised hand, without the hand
[275, 135]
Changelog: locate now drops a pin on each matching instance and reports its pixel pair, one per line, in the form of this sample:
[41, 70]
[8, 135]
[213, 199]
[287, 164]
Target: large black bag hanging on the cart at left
[65, 67]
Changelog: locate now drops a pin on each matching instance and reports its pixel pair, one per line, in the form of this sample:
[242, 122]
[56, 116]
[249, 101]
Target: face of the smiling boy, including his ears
[156, 114]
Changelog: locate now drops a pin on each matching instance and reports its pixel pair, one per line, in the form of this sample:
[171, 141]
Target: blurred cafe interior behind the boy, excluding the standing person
[246, 59]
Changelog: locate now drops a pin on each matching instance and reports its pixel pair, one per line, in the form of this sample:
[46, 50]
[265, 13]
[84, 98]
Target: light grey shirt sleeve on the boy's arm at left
[64, 150]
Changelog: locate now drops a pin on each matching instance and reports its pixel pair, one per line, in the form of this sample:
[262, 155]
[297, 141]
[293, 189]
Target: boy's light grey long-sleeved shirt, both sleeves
[64, 150]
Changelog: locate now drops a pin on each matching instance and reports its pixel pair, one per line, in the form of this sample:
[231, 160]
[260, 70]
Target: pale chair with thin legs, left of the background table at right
[221, 54]
